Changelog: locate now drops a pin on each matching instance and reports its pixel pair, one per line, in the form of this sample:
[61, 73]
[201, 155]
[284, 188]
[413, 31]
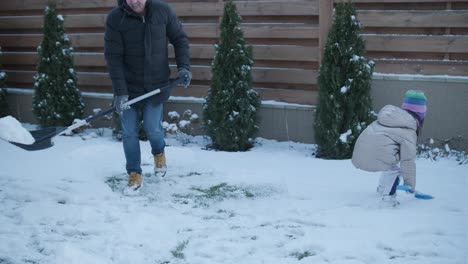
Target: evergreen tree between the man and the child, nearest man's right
[230, 109]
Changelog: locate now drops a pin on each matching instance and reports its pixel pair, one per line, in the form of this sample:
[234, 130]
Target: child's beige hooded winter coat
[389, 140]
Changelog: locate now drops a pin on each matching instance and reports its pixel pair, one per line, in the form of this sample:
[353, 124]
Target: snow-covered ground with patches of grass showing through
[274, 204]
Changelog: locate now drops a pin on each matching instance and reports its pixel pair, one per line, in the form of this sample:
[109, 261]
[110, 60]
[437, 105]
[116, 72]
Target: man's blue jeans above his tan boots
[152, 117]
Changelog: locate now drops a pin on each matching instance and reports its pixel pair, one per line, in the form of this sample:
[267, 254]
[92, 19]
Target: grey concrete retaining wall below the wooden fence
[447, 115]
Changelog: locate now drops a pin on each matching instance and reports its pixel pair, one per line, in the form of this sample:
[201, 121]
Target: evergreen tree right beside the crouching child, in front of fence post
[345, 105]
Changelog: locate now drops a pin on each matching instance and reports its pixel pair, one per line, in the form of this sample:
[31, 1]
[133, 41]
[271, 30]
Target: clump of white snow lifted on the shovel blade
[12, 130]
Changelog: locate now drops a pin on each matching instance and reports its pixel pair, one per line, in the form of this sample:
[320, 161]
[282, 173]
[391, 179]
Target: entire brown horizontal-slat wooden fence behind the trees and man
[411, 36]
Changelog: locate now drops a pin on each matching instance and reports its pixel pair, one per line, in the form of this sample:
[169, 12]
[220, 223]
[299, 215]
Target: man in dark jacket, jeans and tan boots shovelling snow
[136, 52]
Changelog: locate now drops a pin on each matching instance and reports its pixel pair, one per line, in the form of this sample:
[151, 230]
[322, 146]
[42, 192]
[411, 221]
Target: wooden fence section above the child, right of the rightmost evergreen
[427, 37]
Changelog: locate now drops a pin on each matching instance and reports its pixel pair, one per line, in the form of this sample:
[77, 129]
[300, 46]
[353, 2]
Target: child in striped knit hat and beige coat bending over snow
[389, 145]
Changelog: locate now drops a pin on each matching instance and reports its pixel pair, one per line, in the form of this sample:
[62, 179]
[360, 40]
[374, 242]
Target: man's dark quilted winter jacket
[136, 48]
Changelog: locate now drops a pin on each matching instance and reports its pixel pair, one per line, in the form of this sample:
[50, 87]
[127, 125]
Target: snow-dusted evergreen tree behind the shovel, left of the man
[57, 101]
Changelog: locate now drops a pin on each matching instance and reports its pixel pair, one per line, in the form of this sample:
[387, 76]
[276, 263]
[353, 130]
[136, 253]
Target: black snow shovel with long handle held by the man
[43, 137]
